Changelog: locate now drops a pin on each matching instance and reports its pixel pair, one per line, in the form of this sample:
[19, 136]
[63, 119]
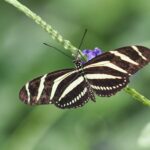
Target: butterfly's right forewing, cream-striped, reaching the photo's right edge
[126, 60]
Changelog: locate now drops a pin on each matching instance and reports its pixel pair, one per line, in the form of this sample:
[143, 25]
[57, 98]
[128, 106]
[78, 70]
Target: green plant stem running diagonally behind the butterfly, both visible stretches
[67, 44]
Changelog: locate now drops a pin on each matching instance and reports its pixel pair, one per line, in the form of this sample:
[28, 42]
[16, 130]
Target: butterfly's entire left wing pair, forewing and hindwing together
[64, 88]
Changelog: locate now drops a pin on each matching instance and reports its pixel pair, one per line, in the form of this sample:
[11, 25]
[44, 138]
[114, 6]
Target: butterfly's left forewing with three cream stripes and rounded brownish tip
[42, 89]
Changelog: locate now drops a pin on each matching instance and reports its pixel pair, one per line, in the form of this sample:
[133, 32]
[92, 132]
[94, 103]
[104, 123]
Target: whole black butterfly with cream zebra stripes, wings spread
[104, 75]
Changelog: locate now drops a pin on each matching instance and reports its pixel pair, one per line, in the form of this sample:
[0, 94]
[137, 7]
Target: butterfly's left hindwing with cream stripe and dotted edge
[74, 95]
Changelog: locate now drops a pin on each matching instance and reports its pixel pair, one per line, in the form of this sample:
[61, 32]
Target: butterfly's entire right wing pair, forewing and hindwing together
[109, 73]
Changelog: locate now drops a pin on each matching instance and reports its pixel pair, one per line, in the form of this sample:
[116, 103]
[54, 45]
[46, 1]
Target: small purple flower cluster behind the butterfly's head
[92, 53]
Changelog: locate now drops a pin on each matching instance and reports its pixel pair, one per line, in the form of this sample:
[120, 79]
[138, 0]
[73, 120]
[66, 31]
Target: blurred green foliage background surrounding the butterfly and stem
[109, 124]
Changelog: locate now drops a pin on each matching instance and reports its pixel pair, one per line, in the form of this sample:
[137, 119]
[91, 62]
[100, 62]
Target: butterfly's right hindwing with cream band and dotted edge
[106, 81]
